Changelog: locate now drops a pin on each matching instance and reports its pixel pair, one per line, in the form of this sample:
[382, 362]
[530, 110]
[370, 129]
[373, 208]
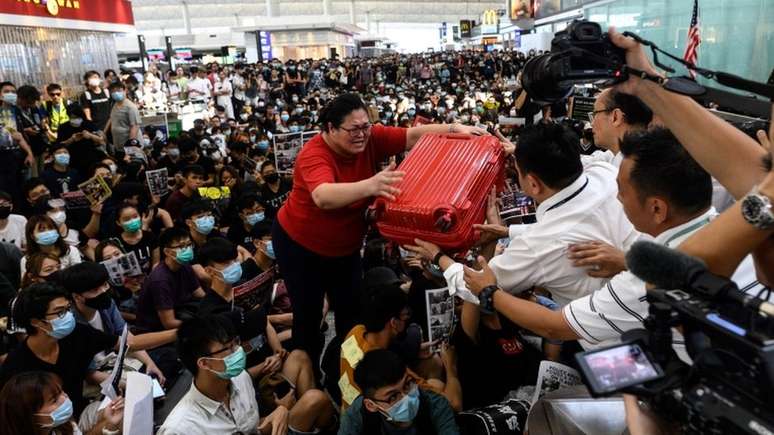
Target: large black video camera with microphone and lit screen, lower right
[729, 387]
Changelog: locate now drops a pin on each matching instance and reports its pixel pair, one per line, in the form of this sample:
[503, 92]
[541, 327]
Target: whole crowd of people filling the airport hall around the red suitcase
[230, 294]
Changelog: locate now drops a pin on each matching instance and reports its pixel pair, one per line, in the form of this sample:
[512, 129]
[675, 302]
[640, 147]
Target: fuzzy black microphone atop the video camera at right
[670, 269]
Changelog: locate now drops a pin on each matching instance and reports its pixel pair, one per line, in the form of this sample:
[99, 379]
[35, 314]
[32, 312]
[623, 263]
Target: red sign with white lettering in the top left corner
[99, 15]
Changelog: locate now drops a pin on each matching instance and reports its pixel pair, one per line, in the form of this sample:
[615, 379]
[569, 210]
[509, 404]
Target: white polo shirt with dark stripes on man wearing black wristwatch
[620, 305]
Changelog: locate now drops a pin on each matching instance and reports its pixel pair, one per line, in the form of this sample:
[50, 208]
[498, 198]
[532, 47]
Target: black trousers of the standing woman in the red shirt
[308, 277]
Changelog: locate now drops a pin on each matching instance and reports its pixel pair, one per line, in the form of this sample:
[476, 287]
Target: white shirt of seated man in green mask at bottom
[197, 414]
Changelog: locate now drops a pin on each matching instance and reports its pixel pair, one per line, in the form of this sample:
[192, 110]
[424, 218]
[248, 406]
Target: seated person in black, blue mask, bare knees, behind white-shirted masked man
[221, 262]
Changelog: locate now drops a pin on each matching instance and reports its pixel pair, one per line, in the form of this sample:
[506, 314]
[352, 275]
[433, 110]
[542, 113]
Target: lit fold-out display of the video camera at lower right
[620, 366]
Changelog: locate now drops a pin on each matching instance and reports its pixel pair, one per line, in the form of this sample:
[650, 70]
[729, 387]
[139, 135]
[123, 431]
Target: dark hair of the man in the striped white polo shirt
[662, 167]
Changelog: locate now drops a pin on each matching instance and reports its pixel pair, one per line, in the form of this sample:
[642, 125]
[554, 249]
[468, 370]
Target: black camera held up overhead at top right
[582, 53]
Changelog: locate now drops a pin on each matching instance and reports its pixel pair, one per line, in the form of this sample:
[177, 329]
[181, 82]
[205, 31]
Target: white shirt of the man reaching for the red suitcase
[586, 210]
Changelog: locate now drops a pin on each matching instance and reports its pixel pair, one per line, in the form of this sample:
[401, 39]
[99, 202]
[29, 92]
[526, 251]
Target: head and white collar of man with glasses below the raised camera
[615, 114]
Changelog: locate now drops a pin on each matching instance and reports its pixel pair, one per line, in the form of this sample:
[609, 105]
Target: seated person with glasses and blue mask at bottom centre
[392, 402]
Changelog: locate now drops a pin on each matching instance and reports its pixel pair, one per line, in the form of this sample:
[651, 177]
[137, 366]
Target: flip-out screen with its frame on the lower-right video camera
[614, 368]
